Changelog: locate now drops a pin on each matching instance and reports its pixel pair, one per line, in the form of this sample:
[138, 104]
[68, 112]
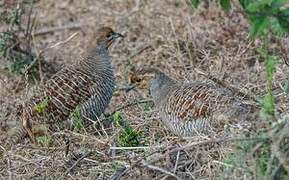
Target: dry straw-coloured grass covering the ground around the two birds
[167, 34]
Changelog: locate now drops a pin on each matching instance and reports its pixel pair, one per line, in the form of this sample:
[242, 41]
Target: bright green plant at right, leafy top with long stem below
[268, 18]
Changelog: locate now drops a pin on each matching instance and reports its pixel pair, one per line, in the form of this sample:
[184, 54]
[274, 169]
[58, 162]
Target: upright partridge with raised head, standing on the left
[87, 84]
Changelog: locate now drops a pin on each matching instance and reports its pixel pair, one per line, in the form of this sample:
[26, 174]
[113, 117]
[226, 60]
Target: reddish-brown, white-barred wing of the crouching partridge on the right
[197, 100]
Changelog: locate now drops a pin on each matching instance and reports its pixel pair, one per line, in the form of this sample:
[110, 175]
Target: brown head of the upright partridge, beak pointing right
[106, 36]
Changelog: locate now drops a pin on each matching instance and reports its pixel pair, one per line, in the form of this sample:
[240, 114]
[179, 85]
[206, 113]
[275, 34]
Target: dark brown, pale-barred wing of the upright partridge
[63, 92]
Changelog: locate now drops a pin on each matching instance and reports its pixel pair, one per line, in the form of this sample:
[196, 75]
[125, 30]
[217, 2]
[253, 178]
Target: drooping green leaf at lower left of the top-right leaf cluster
[259, 25]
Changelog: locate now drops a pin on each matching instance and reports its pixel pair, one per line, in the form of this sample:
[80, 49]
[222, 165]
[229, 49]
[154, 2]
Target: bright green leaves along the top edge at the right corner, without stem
[263, 14]
